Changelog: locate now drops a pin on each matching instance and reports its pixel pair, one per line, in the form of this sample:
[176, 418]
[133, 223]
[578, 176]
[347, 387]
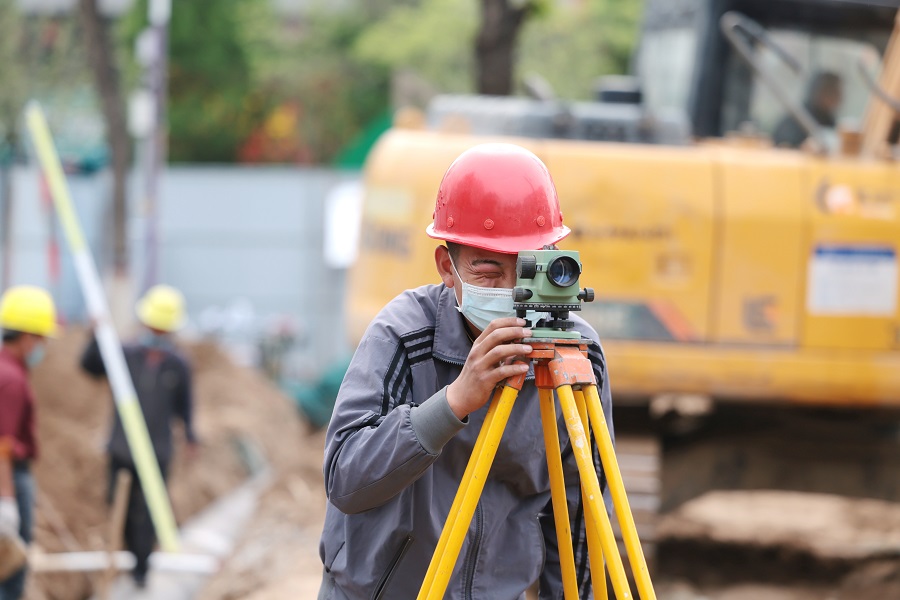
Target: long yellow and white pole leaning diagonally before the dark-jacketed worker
[110, 347]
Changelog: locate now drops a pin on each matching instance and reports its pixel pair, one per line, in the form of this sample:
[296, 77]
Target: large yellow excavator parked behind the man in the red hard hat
[736, 204]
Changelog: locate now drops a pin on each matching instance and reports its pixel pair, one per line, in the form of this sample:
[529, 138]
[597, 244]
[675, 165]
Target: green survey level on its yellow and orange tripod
[547, 282]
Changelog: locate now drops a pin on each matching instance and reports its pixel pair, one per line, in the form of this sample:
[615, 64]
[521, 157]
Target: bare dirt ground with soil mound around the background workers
[238, 415]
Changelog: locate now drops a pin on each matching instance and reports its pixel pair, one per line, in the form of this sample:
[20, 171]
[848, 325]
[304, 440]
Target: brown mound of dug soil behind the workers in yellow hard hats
[233, 408]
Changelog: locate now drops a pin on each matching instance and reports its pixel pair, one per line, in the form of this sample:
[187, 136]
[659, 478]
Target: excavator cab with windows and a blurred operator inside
[743, 65]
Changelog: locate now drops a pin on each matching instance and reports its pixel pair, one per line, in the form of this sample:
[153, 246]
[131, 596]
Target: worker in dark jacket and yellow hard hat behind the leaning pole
[162, 380]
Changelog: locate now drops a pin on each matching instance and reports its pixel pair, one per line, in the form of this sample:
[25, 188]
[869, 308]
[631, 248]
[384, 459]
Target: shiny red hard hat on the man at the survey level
[498, 197]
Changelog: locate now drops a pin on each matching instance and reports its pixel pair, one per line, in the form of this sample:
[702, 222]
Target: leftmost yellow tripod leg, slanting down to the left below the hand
[463, 516]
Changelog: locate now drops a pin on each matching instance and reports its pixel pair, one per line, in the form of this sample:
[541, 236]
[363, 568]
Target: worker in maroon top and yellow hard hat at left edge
[27, 318]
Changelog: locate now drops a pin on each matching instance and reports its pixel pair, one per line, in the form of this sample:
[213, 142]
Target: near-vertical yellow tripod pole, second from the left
[558, 495]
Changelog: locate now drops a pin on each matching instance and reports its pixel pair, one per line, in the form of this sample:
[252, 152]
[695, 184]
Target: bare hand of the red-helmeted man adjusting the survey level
[490, 362]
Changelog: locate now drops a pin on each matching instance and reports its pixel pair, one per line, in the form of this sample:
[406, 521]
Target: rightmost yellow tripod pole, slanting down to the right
[620, 499]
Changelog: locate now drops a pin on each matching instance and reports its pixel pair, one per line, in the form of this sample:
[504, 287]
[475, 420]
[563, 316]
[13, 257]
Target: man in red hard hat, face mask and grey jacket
[415, 396]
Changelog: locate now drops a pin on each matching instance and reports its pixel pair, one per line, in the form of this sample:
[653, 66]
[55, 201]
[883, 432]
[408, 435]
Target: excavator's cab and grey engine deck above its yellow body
[780, 71]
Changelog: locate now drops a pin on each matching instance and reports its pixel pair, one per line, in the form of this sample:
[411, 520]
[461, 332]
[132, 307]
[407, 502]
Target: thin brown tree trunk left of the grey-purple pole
[106, 76]
